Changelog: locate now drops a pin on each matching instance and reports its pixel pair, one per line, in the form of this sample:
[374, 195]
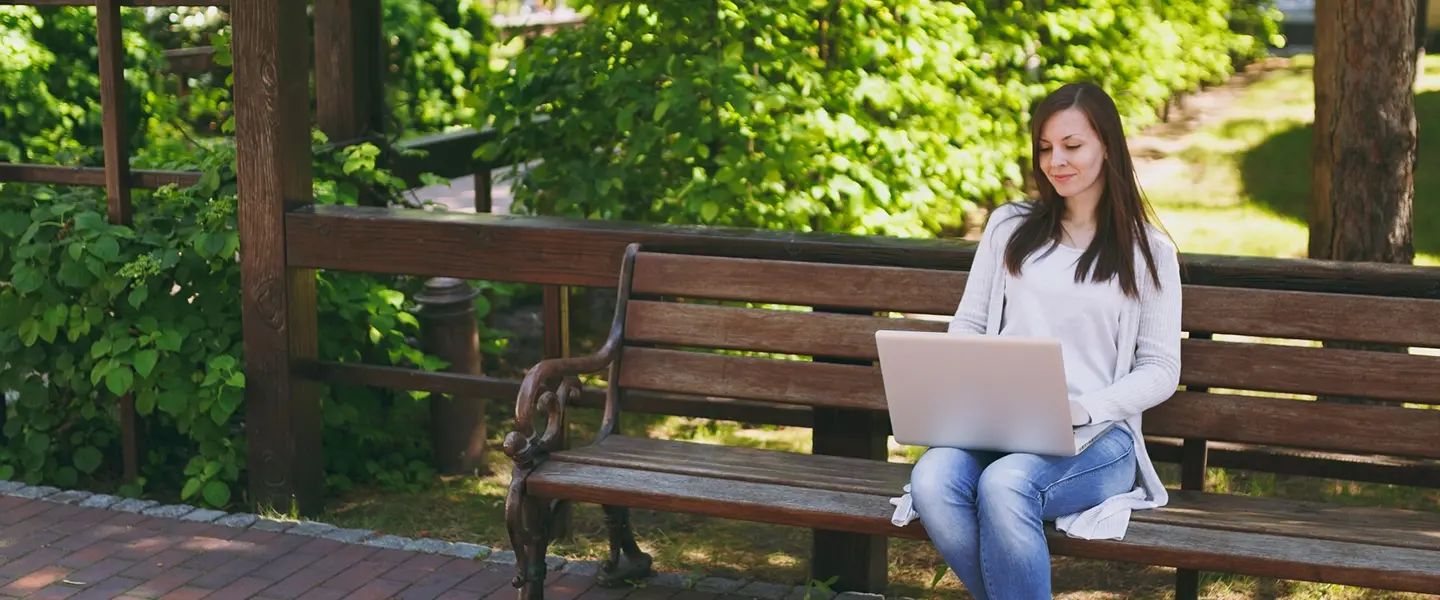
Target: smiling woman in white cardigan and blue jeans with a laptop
[1082, 264]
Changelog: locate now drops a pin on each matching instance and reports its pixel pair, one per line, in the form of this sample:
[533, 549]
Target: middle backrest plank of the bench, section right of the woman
[1287, 369]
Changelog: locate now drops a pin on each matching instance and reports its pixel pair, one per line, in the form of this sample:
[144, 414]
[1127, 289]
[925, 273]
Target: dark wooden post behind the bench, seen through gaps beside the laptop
[859, 562]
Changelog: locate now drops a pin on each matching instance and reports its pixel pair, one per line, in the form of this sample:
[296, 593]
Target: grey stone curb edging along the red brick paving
[426, 546]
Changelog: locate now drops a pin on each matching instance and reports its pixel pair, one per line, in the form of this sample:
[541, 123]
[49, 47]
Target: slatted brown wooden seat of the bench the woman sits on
[1193, 533]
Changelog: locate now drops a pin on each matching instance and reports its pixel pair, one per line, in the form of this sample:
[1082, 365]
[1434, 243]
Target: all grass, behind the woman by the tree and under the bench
[1235, 185]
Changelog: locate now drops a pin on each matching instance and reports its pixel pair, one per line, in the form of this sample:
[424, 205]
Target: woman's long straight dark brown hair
[1122, 214]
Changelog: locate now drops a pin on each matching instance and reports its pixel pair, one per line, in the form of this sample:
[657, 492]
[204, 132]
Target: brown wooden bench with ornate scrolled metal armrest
[682, 326]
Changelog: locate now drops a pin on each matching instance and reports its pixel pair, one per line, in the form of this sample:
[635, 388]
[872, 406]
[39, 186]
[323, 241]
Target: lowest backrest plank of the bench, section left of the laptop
[839, 386]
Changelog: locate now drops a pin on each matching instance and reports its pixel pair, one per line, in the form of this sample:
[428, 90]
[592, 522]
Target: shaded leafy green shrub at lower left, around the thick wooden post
[155, 312]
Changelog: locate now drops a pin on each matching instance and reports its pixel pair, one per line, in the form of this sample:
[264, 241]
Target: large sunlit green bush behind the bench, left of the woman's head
[842, 116]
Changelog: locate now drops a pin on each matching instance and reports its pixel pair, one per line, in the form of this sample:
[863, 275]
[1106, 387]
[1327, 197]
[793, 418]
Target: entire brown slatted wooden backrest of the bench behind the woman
[690, 320]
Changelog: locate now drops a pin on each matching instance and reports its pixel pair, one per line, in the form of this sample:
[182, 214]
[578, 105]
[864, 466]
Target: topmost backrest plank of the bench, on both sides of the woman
[1265, 313]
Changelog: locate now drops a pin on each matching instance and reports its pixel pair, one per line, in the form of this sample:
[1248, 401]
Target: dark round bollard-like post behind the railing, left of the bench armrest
[450, 330]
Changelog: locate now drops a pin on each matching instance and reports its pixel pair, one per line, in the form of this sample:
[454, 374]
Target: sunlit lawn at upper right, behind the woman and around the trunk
[1242, 185]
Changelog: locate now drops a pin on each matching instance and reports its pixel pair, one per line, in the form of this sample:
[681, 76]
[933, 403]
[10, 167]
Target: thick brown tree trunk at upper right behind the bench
[1366, 136]
